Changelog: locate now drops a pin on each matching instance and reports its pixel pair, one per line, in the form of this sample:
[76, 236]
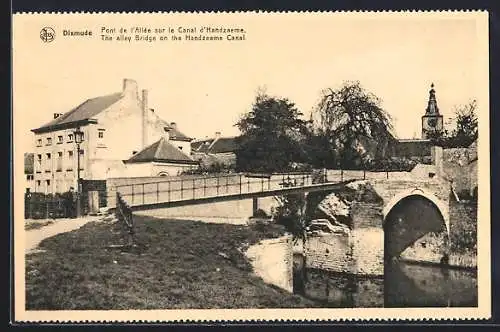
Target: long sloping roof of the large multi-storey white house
[85, 111]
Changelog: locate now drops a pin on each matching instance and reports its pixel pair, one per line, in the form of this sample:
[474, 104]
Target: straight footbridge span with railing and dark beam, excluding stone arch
[201, 190]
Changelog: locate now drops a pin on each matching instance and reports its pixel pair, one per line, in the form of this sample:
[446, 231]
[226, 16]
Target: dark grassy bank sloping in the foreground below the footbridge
[178, 264]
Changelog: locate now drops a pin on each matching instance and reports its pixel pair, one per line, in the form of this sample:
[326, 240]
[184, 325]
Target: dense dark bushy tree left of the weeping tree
[271, 135]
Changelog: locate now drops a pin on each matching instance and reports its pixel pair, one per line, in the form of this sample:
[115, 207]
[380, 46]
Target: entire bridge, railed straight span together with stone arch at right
[414, 203]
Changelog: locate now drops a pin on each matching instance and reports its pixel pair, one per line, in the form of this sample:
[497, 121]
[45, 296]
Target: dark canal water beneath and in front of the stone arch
[403, 285]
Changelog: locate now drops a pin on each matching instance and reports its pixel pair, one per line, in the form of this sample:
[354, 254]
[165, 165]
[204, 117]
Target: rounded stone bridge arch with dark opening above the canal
[410, 215]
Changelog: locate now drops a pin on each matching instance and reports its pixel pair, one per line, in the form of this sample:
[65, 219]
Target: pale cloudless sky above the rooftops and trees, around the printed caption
[205, 87]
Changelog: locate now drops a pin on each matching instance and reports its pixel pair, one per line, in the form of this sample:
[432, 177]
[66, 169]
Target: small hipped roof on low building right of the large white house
[161, 151]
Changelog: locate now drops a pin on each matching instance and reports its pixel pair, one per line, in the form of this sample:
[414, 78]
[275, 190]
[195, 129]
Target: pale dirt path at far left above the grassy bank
[35, 236]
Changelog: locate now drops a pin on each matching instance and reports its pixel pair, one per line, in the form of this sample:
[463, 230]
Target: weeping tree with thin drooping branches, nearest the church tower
[348, 122]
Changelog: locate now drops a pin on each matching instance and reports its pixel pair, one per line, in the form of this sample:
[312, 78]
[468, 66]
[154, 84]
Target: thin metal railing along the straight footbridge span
[208, 187]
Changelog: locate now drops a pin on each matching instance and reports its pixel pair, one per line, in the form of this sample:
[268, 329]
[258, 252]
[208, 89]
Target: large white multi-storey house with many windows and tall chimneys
[113, 128]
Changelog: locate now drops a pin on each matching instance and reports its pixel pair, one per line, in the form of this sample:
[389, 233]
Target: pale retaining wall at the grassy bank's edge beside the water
[272, 260]
